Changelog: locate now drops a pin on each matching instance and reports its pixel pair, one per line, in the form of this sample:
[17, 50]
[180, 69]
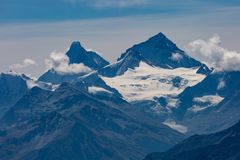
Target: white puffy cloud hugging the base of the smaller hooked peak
[60, 63]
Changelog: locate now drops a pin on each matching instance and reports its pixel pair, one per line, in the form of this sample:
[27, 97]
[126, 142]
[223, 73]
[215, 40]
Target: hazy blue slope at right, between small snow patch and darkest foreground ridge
[215, 117]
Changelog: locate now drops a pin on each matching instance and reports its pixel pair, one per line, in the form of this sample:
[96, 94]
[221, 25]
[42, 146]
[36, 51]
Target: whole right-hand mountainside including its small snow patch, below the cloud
[207, 106]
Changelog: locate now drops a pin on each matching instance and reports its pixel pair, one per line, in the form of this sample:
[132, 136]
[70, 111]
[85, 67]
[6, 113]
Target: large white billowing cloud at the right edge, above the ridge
[211, 52]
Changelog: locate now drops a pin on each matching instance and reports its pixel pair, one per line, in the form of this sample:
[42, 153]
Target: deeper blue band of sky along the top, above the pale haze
[58, 10]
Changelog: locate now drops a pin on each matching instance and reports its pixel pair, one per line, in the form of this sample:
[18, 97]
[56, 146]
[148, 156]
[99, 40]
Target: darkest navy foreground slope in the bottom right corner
[223, 145]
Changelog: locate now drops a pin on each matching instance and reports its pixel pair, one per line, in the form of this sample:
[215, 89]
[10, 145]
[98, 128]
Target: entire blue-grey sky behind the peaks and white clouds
[33, 29]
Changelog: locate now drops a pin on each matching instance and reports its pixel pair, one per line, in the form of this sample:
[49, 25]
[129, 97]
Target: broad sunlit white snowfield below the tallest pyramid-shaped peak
[145, 82]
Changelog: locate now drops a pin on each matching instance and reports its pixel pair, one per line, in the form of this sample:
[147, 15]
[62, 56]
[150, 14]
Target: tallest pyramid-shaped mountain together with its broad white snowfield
[152, 69]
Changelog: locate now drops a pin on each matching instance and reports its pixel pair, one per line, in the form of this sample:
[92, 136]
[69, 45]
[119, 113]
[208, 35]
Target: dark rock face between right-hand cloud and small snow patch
[222, 84]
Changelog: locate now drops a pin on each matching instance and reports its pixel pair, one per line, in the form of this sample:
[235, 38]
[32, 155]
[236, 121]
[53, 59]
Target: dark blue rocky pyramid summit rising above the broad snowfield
[161, 51]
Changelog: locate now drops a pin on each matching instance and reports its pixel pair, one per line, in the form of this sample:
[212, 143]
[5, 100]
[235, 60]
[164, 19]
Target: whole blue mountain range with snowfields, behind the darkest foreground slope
[150, 99]
